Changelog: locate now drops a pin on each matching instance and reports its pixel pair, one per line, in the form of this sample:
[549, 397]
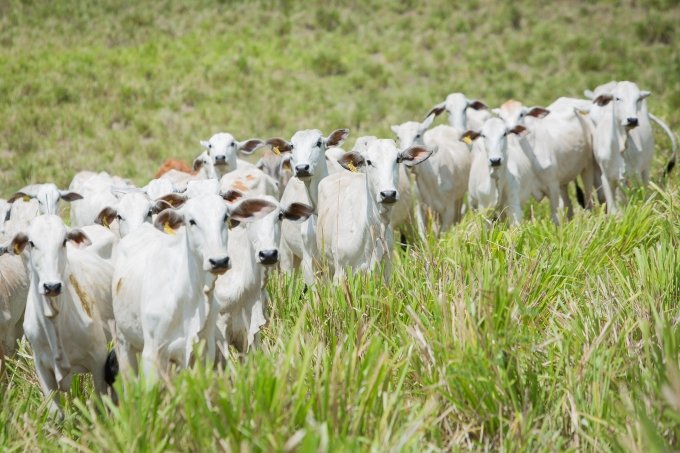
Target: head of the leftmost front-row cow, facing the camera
[46, 241]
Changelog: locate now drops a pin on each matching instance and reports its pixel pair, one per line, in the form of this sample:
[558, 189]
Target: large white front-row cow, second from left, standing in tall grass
[164, 280]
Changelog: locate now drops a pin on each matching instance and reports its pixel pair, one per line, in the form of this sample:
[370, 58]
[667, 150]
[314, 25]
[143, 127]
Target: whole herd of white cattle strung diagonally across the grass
[151, 268]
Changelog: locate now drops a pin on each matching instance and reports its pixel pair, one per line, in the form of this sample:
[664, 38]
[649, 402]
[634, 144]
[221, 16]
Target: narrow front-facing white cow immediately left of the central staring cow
[307, 150]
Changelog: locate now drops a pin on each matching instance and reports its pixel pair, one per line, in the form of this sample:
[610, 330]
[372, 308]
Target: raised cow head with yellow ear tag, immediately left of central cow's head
[307, 150]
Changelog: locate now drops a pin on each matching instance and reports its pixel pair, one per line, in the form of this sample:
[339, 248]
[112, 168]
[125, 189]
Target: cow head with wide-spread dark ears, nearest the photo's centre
[380, 161]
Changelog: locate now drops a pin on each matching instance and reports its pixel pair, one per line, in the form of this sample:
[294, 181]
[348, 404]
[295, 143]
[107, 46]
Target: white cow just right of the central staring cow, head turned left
[442, 180]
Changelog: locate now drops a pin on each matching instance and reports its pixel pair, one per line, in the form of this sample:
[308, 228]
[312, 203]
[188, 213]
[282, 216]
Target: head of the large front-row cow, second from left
[205, 219]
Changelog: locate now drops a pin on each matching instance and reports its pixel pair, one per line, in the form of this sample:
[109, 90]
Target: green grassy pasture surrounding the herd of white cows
[499, 338]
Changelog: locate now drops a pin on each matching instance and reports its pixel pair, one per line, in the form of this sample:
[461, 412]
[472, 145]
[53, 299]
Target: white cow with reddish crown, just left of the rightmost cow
[559, 147]
